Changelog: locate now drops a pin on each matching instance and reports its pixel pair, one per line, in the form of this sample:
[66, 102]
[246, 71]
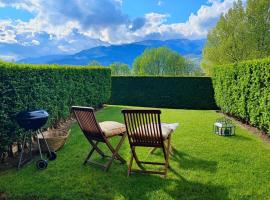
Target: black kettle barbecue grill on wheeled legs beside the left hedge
[32, 121]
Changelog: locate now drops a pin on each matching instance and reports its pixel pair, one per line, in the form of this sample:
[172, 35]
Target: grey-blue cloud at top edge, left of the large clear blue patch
[91, 13]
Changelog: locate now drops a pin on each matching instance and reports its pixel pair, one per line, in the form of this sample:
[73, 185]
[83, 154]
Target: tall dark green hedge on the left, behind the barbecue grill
[51, 87]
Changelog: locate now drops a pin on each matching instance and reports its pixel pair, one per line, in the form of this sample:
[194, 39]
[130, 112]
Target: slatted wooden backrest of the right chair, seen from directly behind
[143, 127]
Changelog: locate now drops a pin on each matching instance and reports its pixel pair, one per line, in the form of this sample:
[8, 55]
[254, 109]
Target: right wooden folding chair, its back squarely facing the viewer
[144, 130]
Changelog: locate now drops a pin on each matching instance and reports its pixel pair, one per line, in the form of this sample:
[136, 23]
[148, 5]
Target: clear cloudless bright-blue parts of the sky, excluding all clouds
[179, 10]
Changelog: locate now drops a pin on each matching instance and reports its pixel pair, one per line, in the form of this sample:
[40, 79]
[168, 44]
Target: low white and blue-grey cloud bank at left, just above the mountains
[33, 44]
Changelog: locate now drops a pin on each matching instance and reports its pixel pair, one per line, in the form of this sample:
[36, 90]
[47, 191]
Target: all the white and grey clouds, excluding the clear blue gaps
[68, 26]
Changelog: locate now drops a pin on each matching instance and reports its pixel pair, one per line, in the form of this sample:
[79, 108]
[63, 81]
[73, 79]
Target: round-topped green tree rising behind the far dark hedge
[160, 61]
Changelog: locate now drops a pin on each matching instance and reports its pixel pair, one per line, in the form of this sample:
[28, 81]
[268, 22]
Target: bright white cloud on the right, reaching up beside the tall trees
[196, 27]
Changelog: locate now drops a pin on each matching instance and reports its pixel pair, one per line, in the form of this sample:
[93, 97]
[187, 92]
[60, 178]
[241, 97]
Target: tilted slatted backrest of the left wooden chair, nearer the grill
[88, 123]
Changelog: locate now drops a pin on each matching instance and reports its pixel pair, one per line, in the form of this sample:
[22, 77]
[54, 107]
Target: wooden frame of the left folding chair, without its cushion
[90, 127]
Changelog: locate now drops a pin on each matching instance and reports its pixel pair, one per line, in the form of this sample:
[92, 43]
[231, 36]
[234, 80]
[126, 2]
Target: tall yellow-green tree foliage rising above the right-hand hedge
[242, 34]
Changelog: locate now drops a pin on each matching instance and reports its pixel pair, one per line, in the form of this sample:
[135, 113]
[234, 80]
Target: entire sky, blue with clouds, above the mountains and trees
[45, 27]
